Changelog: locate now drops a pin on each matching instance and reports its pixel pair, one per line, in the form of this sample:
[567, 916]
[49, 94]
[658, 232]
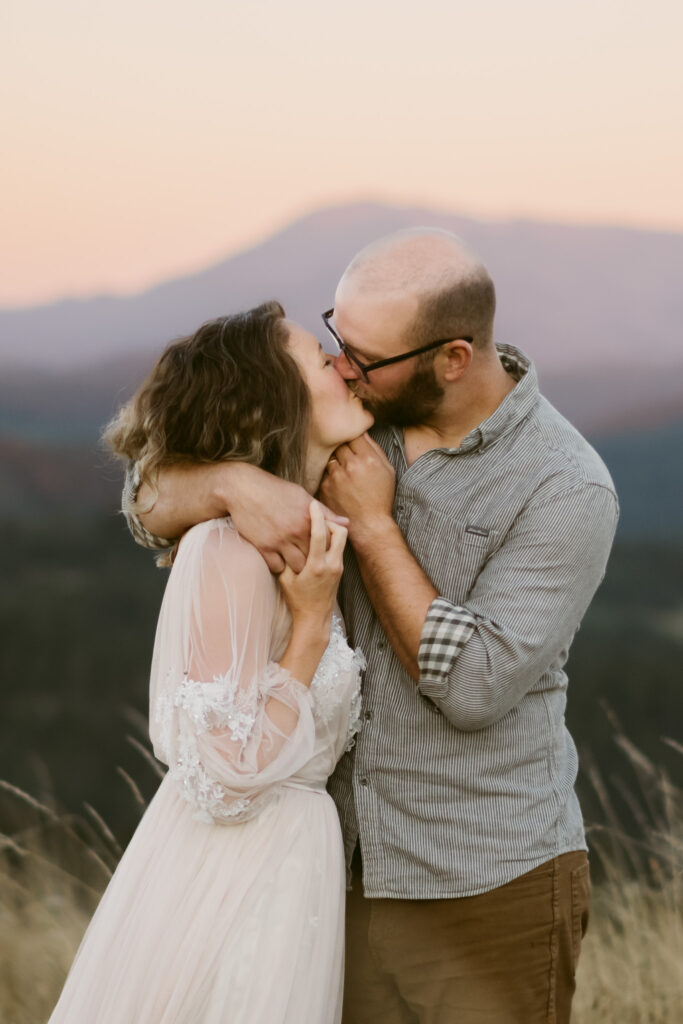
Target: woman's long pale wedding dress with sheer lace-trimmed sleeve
[228, 907]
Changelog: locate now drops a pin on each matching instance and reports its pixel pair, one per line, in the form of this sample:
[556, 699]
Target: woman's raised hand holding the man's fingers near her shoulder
[311, 593]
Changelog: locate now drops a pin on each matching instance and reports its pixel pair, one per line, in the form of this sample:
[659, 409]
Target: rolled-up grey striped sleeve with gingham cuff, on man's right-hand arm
[479, 660]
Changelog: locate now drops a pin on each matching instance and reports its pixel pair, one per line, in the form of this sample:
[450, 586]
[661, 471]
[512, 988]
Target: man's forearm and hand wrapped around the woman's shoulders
[273, 514]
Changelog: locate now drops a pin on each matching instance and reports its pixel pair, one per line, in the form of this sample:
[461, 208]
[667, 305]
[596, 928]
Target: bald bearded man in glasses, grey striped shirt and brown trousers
[481, 524]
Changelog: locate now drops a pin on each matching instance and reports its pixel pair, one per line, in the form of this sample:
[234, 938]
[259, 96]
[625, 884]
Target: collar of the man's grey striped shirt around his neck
[515, 408]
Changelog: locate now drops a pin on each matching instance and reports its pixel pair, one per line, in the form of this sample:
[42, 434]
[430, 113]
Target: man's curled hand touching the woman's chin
[360, 483]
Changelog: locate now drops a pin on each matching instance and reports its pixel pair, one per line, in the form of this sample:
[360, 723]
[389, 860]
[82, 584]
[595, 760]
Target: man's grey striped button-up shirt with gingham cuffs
[464, 782]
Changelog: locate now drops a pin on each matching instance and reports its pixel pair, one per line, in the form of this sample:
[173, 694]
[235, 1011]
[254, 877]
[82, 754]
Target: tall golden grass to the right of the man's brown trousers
[631, 967]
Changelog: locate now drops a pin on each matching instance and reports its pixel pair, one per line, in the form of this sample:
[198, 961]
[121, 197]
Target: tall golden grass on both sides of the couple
[54, 870]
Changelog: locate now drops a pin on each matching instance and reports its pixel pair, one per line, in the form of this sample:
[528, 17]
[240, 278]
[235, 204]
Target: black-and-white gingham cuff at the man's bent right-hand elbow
[447, 630]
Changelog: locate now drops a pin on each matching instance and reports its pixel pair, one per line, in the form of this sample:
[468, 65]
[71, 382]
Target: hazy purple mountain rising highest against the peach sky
[574, 297]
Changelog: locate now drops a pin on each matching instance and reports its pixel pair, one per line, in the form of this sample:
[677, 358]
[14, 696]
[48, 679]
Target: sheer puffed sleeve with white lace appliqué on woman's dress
[231, 723]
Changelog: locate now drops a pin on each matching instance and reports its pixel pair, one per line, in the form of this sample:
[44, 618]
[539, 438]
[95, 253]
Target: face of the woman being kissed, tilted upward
[337, 415]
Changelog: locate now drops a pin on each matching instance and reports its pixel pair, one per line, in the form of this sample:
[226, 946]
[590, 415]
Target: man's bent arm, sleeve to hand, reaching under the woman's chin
[477, 661]
